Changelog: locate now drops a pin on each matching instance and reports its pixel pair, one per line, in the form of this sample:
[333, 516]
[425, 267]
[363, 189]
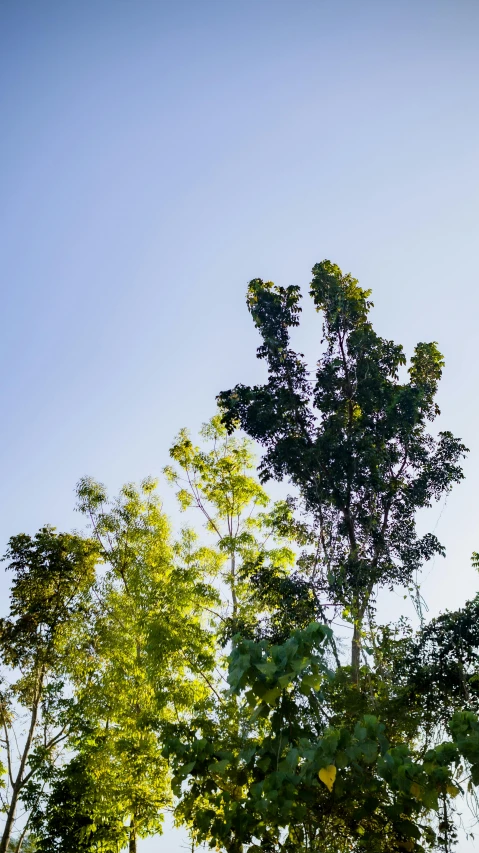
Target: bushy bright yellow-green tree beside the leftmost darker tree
[145, 658]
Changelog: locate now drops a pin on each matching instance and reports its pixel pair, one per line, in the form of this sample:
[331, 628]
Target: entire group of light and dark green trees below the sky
[204, 674]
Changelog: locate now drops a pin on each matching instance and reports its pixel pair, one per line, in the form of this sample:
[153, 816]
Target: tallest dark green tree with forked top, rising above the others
[354, 439]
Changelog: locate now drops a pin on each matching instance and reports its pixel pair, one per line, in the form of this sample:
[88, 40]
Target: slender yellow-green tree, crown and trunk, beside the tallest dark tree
[249, 534]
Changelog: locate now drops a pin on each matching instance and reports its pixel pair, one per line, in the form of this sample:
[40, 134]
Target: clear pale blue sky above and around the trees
[156, 156]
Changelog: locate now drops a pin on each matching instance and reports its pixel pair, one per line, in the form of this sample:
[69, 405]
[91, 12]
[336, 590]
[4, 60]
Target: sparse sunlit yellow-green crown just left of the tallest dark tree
[248, 532]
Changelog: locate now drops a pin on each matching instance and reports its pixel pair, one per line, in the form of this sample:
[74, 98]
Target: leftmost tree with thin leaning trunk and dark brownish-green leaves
[52, 576]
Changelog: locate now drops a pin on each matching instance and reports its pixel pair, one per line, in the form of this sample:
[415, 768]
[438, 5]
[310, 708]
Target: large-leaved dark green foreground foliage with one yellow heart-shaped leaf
[293, 781]
